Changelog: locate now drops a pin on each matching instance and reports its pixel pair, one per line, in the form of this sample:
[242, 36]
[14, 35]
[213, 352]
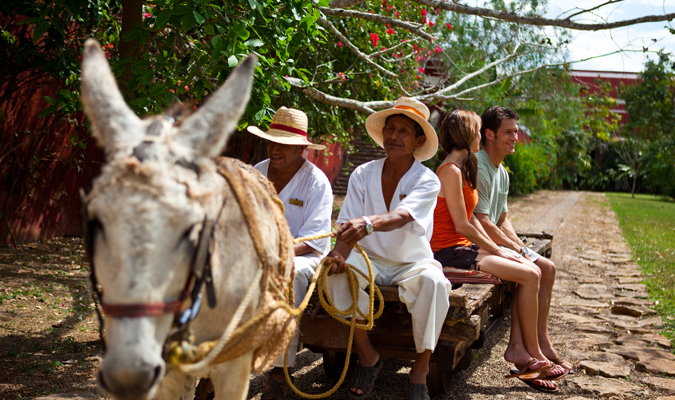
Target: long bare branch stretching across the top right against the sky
[538, 21]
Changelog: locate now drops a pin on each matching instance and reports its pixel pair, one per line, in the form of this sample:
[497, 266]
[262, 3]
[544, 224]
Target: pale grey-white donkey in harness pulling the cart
[146, 212]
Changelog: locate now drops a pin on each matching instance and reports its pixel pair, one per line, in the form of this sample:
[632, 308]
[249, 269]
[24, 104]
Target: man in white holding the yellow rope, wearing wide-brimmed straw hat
[389, 210]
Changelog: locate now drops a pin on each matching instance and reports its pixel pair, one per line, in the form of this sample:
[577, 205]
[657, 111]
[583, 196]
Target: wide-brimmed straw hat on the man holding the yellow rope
[414, 110]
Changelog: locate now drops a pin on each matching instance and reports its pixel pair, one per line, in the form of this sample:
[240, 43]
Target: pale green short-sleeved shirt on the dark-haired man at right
[493, 188]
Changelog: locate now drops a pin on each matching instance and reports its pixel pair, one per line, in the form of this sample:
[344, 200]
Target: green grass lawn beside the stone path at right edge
[648, 224]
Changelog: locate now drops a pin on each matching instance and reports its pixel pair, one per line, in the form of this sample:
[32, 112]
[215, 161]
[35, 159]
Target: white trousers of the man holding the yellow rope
[422, 287]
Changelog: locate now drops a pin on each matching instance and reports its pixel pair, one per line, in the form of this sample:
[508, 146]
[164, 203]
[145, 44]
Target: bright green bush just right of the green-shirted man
[529, 168]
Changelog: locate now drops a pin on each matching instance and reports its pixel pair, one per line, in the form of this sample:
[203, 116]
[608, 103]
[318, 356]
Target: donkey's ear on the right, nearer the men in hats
[207, 130]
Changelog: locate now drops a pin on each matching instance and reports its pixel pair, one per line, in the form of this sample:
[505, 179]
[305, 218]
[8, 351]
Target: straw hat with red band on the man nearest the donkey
[289, 126]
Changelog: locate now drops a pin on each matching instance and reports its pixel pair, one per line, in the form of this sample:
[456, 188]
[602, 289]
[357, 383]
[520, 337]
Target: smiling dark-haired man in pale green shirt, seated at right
[499, 133]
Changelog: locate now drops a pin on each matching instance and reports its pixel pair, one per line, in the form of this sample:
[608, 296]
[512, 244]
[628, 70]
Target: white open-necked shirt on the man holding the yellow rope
[416, 193]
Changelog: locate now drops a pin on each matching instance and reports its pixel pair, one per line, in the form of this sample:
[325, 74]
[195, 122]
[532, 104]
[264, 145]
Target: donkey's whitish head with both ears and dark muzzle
[147, 207]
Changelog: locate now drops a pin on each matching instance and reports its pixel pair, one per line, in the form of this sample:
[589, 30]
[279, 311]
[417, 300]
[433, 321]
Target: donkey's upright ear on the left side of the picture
[114, 125]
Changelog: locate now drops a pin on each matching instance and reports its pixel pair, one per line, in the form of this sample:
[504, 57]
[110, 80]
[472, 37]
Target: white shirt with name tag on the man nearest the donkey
[308, 203]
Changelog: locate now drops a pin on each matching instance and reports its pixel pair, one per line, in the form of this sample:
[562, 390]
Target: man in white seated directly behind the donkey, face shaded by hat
[308, 202]
